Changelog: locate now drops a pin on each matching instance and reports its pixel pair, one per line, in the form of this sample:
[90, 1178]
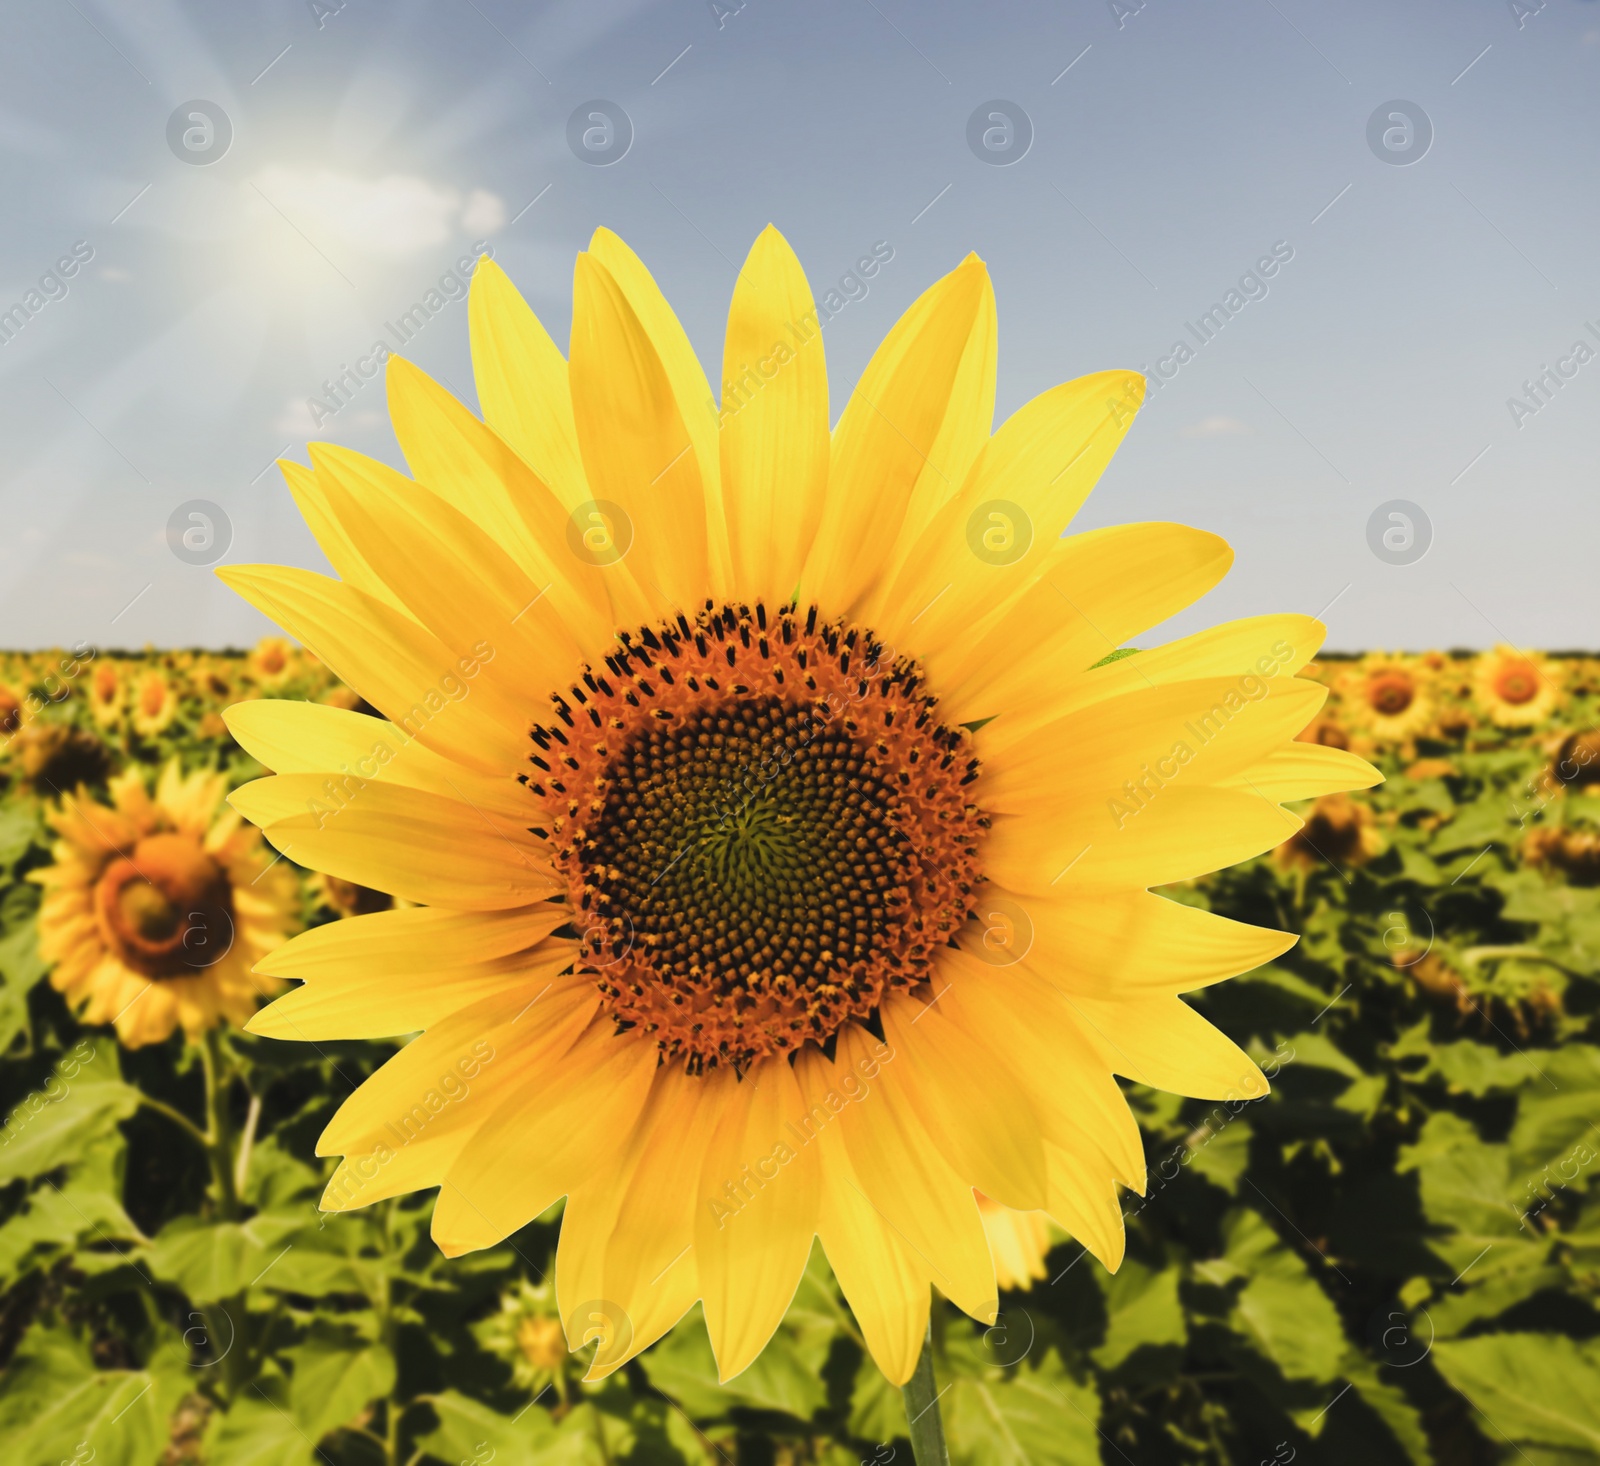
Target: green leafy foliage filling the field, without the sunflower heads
[1393, 1259]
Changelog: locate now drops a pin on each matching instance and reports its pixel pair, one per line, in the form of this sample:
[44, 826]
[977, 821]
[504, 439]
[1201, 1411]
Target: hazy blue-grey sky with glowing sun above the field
[210, 212]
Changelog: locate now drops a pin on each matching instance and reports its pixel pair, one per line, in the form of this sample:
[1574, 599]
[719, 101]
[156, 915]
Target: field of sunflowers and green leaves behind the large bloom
[1394, 1257]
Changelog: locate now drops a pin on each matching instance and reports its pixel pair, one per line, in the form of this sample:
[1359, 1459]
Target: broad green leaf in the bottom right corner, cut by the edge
[1535, 1388]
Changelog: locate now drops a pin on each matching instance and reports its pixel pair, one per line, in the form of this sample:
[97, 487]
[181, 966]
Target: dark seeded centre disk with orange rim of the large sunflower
[762, 825]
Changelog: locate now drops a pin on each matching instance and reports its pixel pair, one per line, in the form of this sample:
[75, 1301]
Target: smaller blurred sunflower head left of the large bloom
[156, 910]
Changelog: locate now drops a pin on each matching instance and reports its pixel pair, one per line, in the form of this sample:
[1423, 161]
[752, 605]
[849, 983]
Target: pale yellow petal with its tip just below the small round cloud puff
[522, 385]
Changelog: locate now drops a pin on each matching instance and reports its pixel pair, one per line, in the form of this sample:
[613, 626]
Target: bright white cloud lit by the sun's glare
[394, 215]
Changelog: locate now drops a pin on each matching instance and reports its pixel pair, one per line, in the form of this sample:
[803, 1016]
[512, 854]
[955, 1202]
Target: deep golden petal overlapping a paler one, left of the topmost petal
[638, 451]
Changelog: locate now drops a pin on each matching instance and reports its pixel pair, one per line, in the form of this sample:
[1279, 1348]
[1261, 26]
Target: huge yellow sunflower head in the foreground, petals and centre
[678, 756]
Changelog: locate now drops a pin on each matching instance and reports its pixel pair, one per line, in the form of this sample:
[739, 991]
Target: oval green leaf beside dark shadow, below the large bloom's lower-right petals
[1282, 1310]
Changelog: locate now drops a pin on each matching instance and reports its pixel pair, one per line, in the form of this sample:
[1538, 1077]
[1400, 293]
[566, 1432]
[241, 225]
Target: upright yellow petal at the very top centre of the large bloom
[775, 441]
